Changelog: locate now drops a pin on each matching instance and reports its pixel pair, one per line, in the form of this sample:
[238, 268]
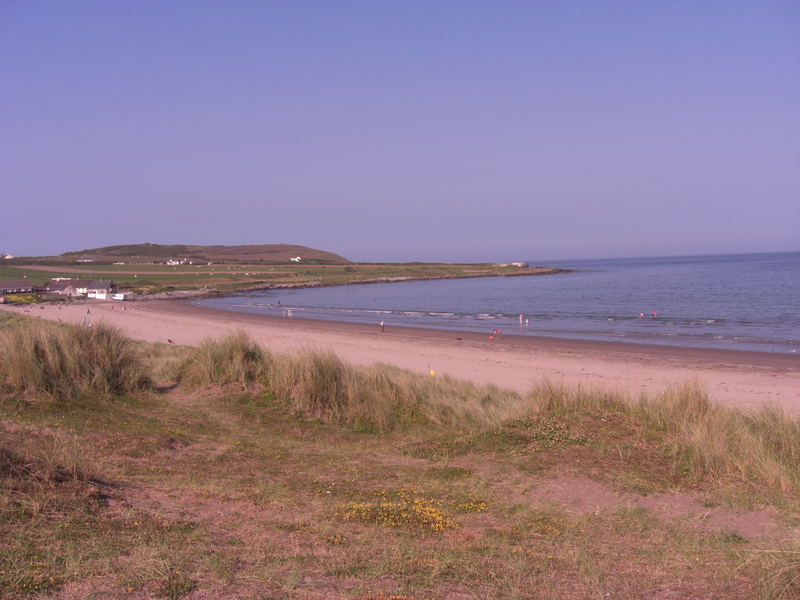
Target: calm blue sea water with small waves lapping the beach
[742, 302]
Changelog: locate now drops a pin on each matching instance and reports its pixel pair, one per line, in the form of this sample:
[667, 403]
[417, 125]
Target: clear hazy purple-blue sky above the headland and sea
[398, 131]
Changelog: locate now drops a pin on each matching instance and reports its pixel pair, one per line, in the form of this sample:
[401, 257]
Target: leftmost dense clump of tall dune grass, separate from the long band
[64, 362]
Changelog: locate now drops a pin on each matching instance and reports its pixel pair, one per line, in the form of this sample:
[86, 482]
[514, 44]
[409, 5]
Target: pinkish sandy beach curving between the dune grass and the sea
[743, 379]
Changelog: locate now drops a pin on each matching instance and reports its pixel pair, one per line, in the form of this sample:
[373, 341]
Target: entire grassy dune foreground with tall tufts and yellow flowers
[257, 475]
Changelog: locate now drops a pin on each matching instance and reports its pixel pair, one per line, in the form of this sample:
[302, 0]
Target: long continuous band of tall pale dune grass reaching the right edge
[701, 440]
